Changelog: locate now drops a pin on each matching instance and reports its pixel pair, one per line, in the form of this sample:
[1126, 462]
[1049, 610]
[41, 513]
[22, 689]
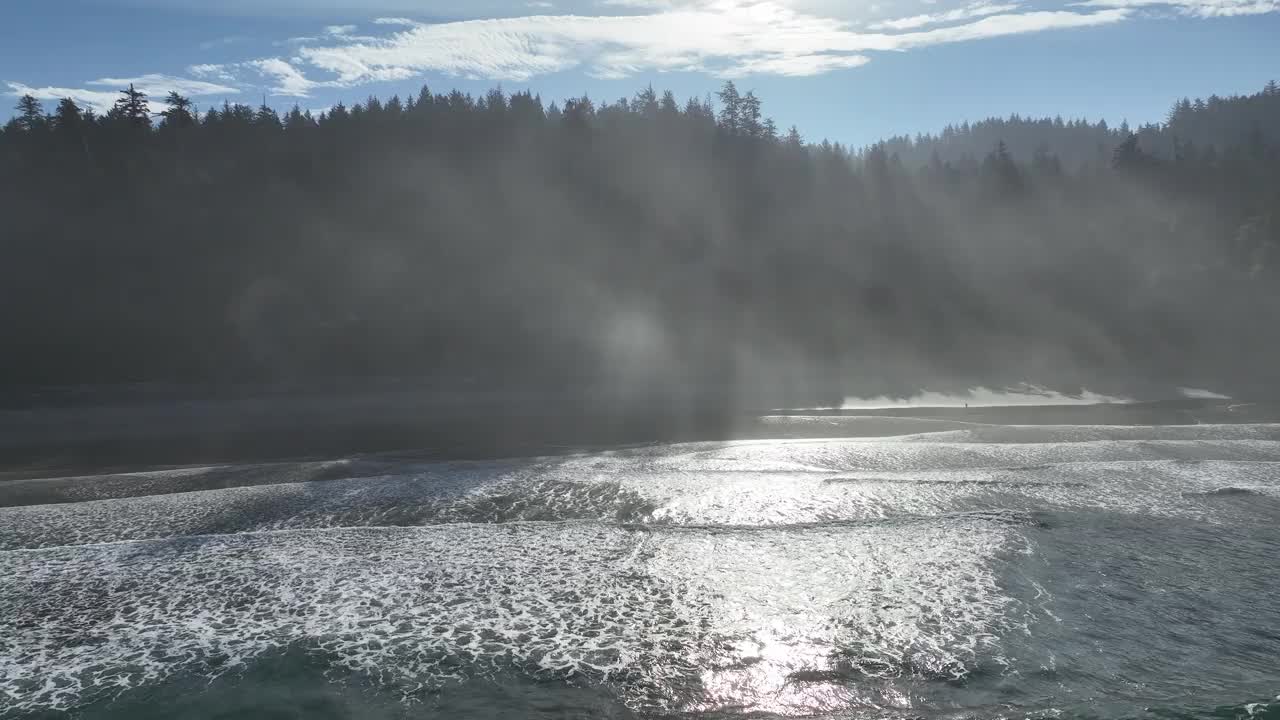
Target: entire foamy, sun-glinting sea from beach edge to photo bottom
[972, 572]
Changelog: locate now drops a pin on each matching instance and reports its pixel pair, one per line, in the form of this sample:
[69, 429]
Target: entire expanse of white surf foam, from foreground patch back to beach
[742, 584]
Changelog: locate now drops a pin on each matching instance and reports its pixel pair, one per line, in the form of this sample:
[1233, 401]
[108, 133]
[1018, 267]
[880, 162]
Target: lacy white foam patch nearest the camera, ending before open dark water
[735, 616]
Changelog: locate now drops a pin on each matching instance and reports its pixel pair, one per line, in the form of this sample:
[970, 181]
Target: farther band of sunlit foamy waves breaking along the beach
[756, 484]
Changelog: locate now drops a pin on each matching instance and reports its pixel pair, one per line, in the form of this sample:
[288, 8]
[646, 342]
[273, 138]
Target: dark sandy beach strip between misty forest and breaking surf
[162, 434]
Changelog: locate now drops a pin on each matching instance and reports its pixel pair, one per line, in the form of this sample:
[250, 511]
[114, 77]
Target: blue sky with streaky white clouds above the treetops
[851, 71]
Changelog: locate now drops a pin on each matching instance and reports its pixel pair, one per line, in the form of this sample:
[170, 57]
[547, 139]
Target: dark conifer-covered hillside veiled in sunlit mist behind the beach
[643, 244]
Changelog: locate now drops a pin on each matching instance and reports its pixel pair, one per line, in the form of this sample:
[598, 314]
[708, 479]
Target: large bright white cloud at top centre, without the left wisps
[724, 38]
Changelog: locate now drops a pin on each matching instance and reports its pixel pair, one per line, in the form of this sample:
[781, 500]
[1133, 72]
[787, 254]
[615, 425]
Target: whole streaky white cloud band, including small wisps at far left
[720, 38]
